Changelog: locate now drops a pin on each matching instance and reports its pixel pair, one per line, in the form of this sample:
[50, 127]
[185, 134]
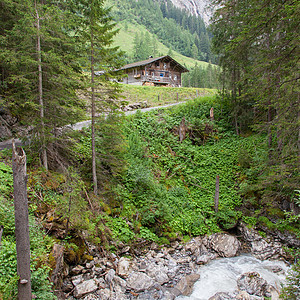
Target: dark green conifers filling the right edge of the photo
[258, 43]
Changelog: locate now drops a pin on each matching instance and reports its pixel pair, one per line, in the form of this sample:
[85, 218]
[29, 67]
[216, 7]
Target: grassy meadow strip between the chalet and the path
[156, 96]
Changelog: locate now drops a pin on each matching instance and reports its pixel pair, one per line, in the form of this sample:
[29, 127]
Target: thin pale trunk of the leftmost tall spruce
[40, 89]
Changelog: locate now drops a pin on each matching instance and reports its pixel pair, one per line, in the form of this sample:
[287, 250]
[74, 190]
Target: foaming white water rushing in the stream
[221, 275]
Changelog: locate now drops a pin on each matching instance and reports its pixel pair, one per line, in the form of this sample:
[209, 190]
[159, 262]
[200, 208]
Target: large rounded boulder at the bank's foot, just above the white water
[224, 244]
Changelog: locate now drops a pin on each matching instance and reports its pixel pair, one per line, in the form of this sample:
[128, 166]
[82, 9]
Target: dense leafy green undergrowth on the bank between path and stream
[171, 184]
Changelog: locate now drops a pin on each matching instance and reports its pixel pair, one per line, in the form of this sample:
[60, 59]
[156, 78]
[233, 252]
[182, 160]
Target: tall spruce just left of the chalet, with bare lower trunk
[95, 32]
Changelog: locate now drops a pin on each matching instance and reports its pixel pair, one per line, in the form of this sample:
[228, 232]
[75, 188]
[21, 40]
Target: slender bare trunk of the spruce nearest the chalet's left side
[94, 170]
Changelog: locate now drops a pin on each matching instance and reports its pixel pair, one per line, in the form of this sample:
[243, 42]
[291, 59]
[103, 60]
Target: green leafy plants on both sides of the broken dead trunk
[39, 247]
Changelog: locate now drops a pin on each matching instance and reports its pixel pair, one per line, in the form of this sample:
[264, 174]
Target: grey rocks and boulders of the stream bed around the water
[171, 272]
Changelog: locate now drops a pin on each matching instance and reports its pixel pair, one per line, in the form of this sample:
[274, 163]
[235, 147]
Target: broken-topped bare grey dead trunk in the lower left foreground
[21, 223]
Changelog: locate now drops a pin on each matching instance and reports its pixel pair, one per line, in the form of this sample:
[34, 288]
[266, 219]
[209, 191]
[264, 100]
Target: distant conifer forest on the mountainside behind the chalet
[176, 28]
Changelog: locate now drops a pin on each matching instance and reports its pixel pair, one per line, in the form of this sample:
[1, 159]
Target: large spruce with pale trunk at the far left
[38, 57]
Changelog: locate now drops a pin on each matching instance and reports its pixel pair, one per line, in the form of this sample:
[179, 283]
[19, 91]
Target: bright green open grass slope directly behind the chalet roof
[124, 39]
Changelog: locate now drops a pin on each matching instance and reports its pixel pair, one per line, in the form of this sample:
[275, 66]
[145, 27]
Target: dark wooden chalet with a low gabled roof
[162, 70]
